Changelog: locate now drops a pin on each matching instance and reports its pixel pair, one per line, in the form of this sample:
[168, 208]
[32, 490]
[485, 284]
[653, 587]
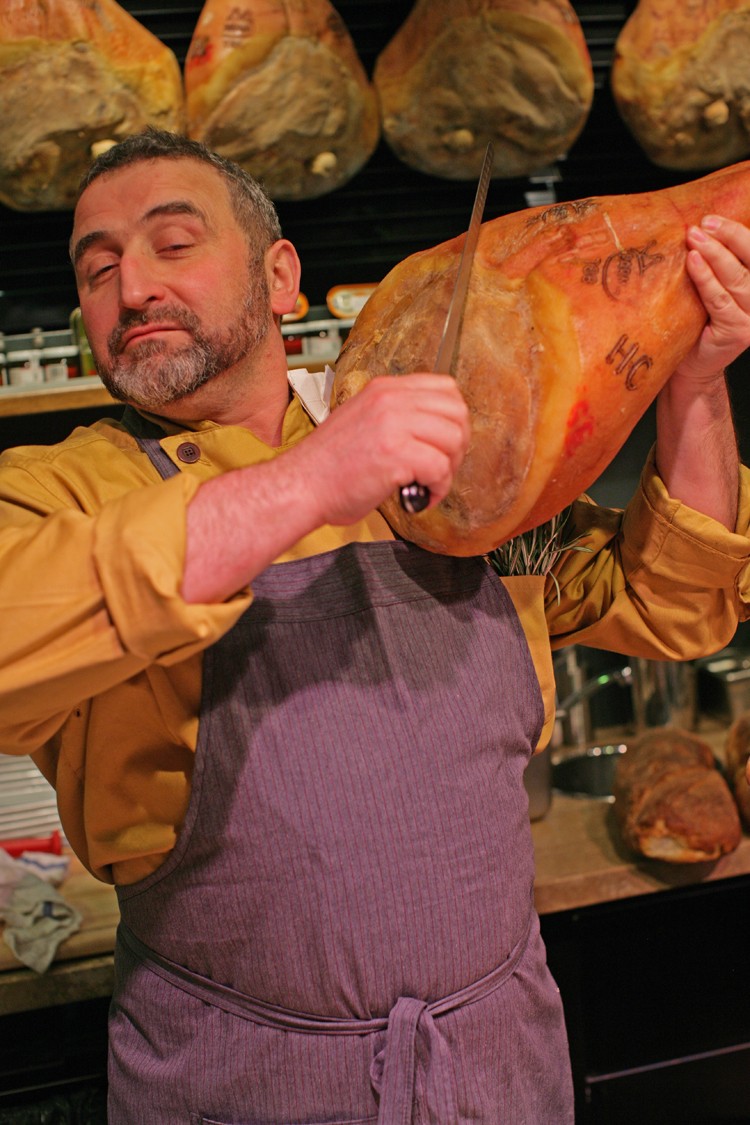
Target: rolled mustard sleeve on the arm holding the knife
[89, 599]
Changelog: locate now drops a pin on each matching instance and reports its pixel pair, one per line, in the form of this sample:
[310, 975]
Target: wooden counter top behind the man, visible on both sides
[581, 862]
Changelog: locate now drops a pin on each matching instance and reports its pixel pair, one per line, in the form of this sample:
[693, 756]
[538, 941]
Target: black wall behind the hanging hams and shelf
[359, 232]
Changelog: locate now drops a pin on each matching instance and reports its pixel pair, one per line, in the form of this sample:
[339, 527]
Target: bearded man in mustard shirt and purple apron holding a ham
[294, 743]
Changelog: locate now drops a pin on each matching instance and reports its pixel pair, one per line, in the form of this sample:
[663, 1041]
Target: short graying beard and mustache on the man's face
[153, 375]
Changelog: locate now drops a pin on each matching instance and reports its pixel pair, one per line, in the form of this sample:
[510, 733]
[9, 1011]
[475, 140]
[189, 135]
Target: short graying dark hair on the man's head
[250, 203]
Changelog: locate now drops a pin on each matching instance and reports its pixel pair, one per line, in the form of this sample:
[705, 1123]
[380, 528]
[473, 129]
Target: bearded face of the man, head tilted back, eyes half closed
[168, 293]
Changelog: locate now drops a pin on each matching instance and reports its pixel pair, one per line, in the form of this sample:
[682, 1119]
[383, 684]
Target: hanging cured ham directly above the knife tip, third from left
[458, 75]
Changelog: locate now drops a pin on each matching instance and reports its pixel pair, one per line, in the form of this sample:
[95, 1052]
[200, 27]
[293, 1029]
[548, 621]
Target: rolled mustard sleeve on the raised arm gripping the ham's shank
[659, 580]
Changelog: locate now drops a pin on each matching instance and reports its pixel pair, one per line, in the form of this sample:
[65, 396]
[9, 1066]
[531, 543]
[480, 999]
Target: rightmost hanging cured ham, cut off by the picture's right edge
[681, 80]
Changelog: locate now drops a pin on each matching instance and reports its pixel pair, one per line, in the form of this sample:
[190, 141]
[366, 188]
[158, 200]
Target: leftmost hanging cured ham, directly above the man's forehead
[76, 78]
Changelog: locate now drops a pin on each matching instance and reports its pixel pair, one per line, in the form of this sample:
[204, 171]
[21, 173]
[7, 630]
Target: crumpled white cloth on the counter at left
[38, 917]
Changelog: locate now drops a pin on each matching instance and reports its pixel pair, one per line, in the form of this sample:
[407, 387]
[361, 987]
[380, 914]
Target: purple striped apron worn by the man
[345, 932]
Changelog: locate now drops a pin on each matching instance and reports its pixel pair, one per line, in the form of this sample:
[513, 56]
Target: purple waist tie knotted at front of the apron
[411, 1023]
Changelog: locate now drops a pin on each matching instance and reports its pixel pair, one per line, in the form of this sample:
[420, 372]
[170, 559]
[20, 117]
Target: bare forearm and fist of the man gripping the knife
[396, 430]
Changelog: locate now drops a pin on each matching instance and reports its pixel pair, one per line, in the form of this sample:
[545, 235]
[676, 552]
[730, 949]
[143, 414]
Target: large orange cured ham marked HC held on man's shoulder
[576, 317]
